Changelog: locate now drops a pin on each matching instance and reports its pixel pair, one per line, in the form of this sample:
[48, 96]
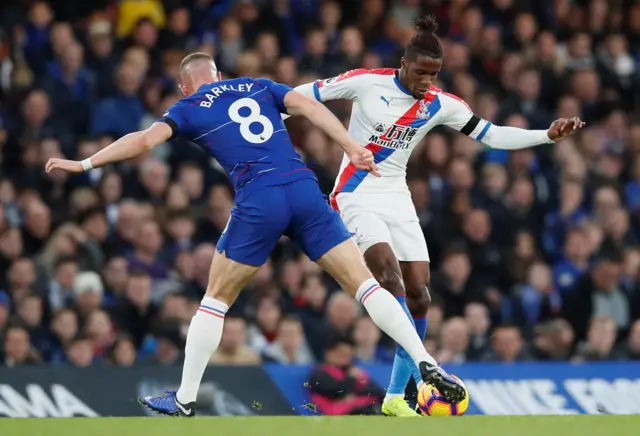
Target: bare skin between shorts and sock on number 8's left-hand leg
[227, 278]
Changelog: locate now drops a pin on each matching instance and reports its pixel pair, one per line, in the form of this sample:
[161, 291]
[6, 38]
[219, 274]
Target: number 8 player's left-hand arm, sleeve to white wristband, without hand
[132, 145]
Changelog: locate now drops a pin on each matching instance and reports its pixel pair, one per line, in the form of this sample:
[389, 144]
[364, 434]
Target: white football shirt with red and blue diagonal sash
[390, 122]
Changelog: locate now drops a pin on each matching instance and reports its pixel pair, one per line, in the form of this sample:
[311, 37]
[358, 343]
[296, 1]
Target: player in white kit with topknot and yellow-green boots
[392, 112]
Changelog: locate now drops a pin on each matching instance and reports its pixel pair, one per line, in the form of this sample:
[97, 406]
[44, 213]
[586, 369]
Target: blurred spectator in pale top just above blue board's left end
[289, 347]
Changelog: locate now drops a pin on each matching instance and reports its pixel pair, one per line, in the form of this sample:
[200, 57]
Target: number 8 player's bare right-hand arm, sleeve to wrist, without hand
[298, 104]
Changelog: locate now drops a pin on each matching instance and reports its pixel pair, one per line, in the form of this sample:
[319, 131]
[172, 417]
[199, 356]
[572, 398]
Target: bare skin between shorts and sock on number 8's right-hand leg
[345, 264]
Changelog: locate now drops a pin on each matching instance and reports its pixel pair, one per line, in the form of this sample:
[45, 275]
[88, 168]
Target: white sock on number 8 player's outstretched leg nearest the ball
[386, 313]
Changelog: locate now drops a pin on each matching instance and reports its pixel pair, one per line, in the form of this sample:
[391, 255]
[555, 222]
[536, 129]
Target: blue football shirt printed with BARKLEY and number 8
[238, 122]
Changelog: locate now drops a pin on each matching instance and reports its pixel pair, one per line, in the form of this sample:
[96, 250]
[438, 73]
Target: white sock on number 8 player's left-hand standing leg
[203, 338]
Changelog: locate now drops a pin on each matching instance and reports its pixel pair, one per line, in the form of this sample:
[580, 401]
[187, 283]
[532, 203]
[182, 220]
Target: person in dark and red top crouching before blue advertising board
[338, 387]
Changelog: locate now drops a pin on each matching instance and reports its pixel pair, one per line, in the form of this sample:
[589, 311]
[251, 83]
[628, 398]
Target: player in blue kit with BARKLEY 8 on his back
[239, 123]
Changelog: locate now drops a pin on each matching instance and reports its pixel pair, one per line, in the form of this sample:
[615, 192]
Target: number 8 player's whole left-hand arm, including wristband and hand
[127, 147]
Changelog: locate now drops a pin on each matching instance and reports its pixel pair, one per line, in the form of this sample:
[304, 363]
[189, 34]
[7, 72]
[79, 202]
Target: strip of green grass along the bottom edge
[620, 425]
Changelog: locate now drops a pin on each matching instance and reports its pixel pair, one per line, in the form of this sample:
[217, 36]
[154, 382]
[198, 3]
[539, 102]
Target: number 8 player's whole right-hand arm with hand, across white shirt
[298, 104]
